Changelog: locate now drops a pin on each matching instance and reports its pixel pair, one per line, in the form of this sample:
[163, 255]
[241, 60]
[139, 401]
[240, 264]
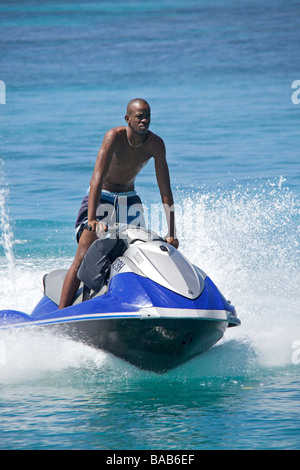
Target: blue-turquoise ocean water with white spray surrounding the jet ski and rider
[218, 76]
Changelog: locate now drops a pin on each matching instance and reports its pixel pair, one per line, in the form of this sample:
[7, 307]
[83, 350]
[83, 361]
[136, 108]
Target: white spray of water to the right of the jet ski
[247, 241]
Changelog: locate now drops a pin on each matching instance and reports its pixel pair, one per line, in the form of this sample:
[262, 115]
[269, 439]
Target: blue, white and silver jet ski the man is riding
[140, 299]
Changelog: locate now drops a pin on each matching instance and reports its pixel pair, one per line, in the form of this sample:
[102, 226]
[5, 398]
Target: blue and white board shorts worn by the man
[123, 208]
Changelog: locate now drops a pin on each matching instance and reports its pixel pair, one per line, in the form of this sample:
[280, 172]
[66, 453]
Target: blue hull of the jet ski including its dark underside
[139, 321]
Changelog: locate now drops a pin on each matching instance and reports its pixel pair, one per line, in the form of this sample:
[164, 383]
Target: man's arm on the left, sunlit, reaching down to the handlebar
[100, 171]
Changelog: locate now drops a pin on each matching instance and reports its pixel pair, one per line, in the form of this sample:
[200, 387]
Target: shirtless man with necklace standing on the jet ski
[124, 152]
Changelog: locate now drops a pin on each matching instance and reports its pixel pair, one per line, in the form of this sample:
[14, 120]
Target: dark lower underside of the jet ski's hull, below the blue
[153, 345]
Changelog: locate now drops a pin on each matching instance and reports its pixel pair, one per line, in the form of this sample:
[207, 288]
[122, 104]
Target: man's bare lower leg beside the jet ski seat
[71, 282]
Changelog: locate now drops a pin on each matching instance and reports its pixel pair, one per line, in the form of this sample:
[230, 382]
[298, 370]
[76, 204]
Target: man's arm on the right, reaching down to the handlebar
[163, 181]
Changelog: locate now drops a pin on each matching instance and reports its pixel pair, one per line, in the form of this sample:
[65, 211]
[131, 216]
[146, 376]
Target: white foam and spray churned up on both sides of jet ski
[245, 239]
